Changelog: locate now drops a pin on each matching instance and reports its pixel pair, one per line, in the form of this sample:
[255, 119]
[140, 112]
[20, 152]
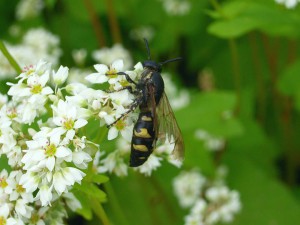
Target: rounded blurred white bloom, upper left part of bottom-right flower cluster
[187, 187]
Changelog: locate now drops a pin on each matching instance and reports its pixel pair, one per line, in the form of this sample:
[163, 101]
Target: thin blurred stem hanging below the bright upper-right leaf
[236, 73]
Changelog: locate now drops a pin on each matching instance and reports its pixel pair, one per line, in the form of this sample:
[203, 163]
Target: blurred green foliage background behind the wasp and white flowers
[252, 49]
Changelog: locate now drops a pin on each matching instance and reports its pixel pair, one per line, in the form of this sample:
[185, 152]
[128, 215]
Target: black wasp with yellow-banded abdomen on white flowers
[156, 119]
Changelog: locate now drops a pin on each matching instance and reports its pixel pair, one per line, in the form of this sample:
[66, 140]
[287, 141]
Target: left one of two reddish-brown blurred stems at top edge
[95, 22]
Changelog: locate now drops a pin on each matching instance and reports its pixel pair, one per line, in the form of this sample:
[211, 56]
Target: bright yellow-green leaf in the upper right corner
[240, 18]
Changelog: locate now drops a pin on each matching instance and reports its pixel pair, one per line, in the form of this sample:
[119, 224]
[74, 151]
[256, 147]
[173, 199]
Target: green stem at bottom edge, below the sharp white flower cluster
[115, 204]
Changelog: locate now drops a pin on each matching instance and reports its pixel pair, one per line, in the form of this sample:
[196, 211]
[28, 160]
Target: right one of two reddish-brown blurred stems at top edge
[113, 22]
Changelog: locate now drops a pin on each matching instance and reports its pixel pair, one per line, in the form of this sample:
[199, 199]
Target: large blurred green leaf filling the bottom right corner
[264, 199]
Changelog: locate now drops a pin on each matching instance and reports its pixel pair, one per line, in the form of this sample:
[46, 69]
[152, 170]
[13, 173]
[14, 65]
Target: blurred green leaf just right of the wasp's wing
[212, 112]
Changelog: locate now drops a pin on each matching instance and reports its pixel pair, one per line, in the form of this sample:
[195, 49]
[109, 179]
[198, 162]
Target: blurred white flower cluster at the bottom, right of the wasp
[209, 202]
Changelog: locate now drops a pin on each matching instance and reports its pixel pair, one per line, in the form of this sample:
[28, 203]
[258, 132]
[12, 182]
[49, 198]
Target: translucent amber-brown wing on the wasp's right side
[168, 127]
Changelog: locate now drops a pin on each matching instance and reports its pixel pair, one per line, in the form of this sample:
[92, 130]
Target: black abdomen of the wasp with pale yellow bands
[142, 139]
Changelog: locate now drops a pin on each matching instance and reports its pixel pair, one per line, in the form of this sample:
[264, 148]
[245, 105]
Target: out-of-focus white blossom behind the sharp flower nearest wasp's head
[109, 55]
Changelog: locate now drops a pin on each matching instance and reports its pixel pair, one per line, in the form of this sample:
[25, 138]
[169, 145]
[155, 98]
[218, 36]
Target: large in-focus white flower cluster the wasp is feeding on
[48, 148]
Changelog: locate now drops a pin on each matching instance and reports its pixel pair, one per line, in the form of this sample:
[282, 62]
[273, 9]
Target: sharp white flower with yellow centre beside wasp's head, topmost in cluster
[105, 73]
